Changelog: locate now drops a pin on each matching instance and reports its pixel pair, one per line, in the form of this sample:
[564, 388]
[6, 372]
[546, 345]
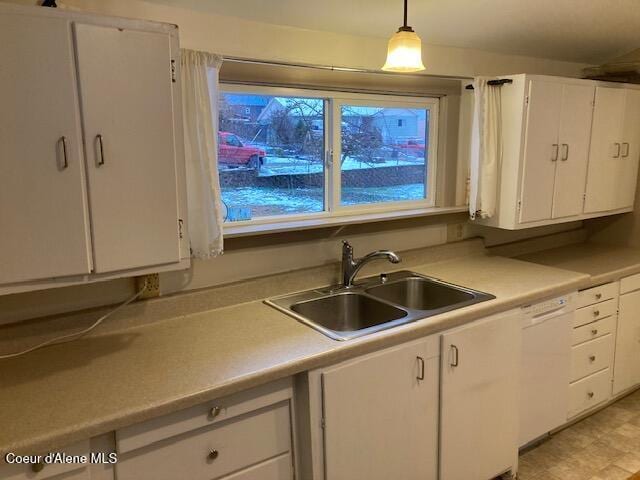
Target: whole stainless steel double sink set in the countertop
[375, 304]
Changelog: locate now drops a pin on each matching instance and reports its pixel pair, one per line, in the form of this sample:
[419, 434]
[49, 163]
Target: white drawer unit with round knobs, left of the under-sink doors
[243, 437]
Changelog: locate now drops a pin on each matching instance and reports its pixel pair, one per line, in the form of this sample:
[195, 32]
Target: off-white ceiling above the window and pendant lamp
[590, 31]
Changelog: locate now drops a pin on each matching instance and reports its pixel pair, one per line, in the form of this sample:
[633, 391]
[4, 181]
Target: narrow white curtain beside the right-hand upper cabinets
[486, 149]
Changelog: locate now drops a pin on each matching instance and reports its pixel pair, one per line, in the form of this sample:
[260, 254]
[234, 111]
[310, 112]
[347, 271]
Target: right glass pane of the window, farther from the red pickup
[384, 154]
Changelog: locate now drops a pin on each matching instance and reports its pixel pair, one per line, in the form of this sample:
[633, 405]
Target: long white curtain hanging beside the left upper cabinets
[200, 110]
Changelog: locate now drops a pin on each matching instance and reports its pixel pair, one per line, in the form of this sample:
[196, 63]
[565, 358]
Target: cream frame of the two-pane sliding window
[333, 100]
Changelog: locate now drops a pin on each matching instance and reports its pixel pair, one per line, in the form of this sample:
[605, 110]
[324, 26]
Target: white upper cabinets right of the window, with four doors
[570, 150]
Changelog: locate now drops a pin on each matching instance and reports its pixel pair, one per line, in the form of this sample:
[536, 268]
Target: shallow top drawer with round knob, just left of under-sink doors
[211, 413]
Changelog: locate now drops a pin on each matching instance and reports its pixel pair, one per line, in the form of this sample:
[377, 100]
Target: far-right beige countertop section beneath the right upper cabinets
[603, 263]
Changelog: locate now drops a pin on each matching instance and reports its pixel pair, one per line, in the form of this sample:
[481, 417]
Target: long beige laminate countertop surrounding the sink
[68, 392]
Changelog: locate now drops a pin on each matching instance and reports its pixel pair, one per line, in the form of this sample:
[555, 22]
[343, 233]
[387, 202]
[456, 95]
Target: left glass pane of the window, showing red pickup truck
[270, 155]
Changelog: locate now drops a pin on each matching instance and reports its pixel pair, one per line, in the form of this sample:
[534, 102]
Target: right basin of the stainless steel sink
[421, 294]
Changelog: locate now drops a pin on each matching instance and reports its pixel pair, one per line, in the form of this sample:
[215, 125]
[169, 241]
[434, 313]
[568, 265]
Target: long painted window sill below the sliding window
[231, 230]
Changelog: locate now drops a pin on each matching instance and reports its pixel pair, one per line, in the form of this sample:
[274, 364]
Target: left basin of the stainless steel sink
[347, 312]
